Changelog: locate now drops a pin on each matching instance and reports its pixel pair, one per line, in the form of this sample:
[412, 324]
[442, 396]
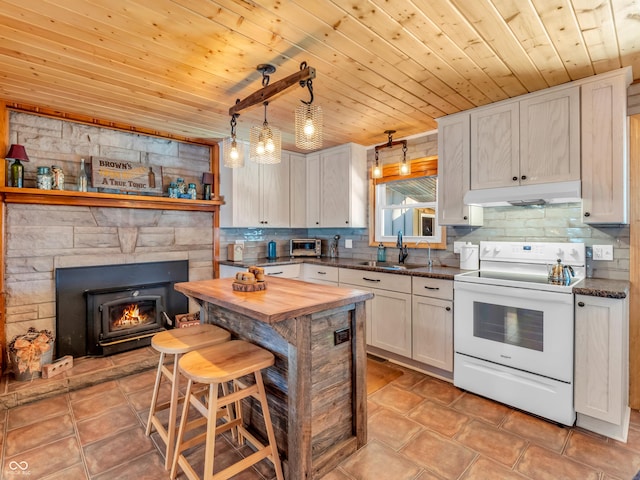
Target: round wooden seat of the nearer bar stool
[224, 362]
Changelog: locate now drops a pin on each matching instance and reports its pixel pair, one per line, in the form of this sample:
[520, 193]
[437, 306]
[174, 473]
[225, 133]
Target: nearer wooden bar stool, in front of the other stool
[218, 365]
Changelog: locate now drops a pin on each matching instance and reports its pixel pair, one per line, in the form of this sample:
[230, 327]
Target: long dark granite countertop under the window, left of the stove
[412, 269]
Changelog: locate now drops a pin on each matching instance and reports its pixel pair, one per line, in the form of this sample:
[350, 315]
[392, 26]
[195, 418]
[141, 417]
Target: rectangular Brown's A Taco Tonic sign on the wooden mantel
[125, 176]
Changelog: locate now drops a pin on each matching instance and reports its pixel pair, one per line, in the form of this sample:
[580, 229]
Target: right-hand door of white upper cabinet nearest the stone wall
[275, 194]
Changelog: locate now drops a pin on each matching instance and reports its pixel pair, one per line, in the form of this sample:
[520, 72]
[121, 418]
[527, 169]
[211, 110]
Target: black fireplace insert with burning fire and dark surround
[102, 310]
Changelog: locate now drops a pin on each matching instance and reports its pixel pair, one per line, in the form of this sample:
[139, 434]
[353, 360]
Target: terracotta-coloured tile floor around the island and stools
[420, 428]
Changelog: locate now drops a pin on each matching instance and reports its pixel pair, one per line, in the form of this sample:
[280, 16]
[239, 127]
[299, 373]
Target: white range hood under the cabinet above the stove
[539, 194]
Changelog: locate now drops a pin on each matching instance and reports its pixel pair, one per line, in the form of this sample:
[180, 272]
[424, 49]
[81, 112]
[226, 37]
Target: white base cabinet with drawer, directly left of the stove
[432, 331]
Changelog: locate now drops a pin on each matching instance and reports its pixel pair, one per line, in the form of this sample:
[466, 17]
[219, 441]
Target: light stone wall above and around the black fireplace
[41, 238]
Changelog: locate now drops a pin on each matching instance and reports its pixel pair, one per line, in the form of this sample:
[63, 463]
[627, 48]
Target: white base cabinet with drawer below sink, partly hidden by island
[389, 312]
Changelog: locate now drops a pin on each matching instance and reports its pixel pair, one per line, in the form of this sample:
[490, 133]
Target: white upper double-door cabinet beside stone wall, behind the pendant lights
[256, 195]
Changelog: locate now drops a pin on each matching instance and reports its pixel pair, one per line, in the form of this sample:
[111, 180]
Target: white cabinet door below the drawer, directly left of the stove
[433, 332]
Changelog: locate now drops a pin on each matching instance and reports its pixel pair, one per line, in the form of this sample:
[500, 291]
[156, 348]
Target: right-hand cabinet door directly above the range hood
[550, 137]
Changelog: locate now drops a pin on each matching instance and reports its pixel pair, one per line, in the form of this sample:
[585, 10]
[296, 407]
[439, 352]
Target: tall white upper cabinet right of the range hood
[605, 165]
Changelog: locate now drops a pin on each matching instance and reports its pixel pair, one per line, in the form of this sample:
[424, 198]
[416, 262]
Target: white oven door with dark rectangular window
[527, 329]
